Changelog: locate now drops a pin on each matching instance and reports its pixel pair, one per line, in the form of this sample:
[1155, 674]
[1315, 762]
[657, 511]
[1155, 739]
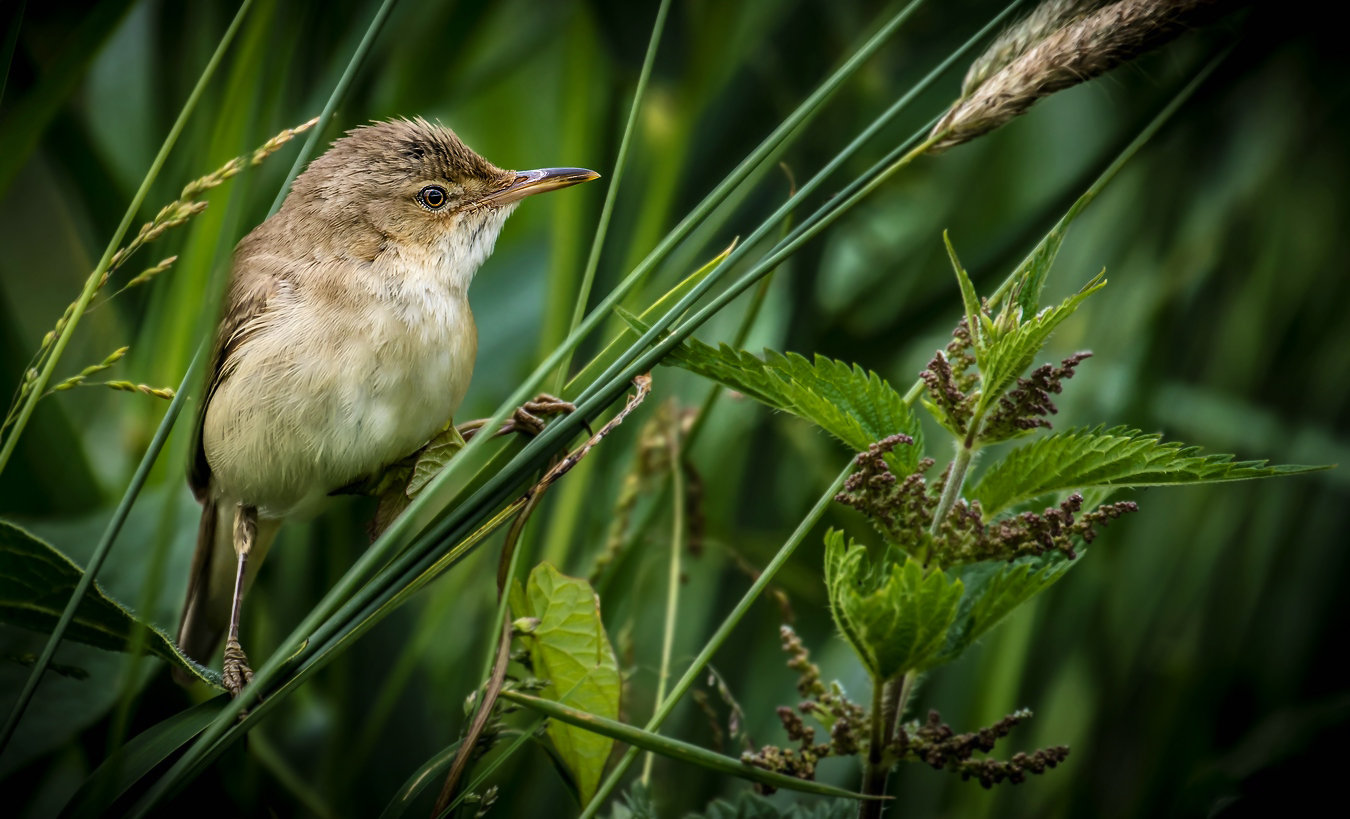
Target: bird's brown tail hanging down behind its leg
[211, 584]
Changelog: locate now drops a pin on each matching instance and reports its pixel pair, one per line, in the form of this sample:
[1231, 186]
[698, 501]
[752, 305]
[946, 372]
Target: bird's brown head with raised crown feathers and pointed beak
[415, 186]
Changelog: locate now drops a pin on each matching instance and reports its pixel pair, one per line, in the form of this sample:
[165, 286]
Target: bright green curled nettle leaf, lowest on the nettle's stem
[894, 616]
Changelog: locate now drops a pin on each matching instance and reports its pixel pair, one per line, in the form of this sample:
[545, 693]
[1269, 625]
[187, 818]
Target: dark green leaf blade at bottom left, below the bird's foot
[138, 758]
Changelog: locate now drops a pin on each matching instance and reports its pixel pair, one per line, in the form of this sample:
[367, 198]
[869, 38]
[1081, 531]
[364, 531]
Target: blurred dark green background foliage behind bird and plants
[1191, 662]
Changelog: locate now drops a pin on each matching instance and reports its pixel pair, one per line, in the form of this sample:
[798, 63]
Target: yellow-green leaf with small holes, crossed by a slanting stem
[570, 650]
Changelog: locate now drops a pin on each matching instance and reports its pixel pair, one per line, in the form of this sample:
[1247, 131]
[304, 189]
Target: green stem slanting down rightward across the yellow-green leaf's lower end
[674, 750]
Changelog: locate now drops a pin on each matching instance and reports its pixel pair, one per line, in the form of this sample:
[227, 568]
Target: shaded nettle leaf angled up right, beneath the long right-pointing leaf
[994, 590]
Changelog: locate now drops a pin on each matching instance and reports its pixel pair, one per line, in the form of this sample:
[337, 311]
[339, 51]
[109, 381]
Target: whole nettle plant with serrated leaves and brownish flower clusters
[956, 557]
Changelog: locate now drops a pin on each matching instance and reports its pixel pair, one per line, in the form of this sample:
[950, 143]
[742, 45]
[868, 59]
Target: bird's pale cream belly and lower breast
[308, 414]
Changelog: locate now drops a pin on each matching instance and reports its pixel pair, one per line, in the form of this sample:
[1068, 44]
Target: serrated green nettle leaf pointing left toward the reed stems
[854, 405]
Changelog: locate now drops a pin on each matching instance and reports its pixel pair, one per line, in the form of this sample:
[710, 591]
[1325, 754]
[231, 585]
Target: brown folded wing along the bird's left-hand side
[252, 287]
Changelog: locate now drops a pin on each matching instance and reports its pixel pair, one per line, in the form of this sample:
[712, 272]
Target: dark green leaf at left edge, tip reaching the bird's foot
[36, 585]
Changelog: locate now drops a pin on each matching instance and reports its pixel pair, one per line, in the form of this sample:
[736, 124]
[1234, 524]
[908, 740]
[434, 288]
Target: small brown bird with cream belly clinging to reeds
[346, 343]
